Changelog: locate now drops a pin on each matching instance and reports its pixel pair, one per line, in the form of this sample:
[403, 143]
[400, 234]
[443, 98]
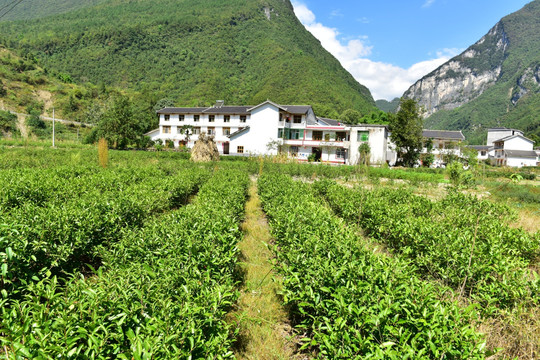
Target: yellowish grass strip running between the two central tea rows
[262, 321]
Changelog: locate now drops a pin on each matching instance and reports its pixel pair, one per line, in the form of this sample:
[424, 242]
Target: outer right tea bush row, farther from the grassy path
[460, 240]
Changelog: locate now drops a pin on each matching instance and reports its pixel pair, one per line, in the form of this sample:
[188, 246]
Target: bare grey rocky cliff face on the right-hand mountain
[465, 77]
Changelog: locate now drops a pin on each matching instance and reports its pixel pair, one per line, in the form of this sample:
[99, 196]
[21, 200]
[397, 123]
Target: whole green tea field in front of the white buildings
[146, 259]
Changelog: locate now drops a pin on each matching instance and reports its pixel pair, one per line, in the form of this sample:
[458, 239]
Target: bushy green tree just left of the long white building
[119, 125]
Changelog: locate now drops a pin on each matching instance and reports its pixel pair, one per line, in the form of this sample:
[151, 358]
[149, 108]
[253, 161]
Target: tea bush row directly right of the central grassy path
[353, 303]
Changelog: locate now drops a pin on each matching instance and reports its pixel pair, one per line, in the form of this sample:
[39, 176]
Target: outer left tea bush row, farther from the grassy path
[67, 233]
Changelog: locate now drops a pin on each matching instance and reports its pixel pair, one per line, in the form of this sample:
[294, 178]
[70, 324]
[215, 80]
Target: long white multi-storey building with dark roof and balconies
[268, 128]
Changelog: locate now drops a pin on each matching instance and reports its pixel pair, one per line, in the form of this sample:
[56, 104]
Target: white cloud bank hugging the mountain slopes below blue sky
[385, 81]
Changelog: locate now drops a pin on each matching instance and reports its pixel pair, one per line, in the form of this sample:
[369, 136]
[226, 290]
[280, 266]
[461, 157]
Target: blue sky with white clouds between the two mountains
[387, 45]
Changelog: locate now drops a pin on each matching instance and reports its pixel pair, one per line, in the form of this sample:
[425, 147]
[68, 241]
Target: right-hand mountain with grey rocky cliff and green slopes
[495, 82]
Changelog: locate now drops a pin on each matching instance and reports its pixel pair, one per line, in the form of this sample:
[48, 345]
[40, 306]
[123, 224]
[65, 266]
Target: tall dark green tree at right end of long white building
[406, 132]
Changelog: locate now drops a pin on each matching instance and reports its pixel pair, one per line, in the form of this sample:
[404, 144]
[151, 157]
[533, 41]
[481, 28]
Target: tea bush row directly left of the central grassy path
[163, 291]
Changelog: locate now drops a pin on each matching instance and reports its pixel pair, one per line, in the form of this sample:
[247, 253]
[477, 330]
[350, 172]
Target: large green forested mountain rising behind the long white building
[192, 51]
